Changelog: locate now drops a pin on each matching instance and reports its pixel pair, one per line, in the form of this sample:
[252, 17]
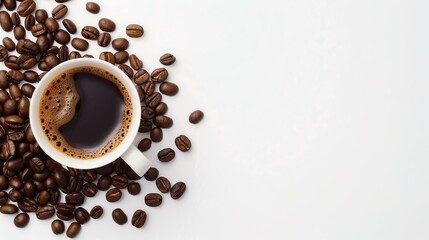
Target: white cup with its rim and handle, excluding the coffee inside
[126, 150]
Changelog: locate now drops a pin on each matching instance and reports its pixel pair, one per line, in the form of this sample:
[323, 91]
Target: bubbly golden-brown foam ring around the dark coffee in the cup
[58, 106]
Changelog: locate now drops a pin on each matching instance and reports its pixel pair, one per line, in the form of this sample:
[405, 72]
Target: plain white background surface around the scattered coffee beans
[316, 125]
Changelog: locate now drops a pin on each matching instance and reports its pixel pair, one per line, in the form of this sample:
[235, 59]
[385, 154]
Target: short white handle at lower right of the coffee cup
[136, 160]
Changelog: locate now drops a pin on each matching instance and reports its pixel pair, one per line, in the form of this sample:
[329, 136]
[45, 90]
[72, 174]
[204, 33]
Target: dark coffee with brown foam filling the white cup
[85, 112]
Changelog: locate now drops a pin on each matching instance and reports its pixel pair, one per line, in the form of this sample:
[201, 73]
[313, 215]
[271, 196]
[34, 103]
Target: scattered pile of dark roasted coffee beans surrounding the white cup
[31, 181]
